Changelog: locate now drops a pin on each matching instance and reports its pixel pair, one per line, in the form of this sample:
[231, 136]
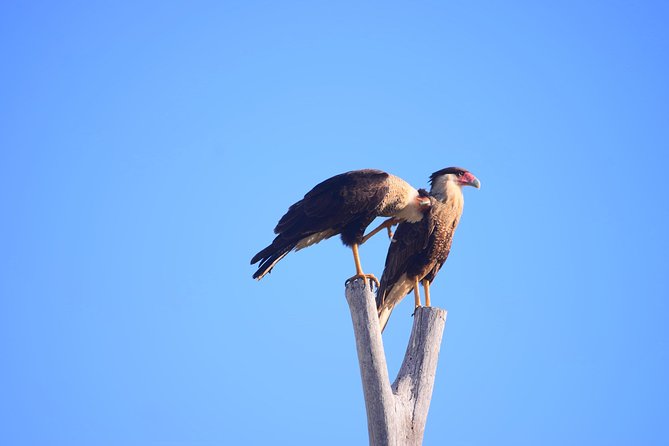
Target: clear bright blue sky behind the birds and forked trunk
[147, 150]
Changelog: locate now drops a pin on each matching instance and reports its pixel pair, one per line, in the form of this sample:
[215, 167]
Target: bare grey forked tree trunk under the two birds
[396, 414]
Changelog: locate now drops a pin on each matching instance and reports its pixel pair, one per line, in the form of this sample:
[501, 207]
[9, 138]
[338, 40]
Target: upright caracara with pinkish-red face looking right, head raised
[418, 250]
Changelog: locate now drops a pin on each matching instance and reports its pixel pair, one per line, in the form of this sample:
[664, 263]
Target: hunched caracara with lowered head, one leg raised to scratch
[344, 204]
